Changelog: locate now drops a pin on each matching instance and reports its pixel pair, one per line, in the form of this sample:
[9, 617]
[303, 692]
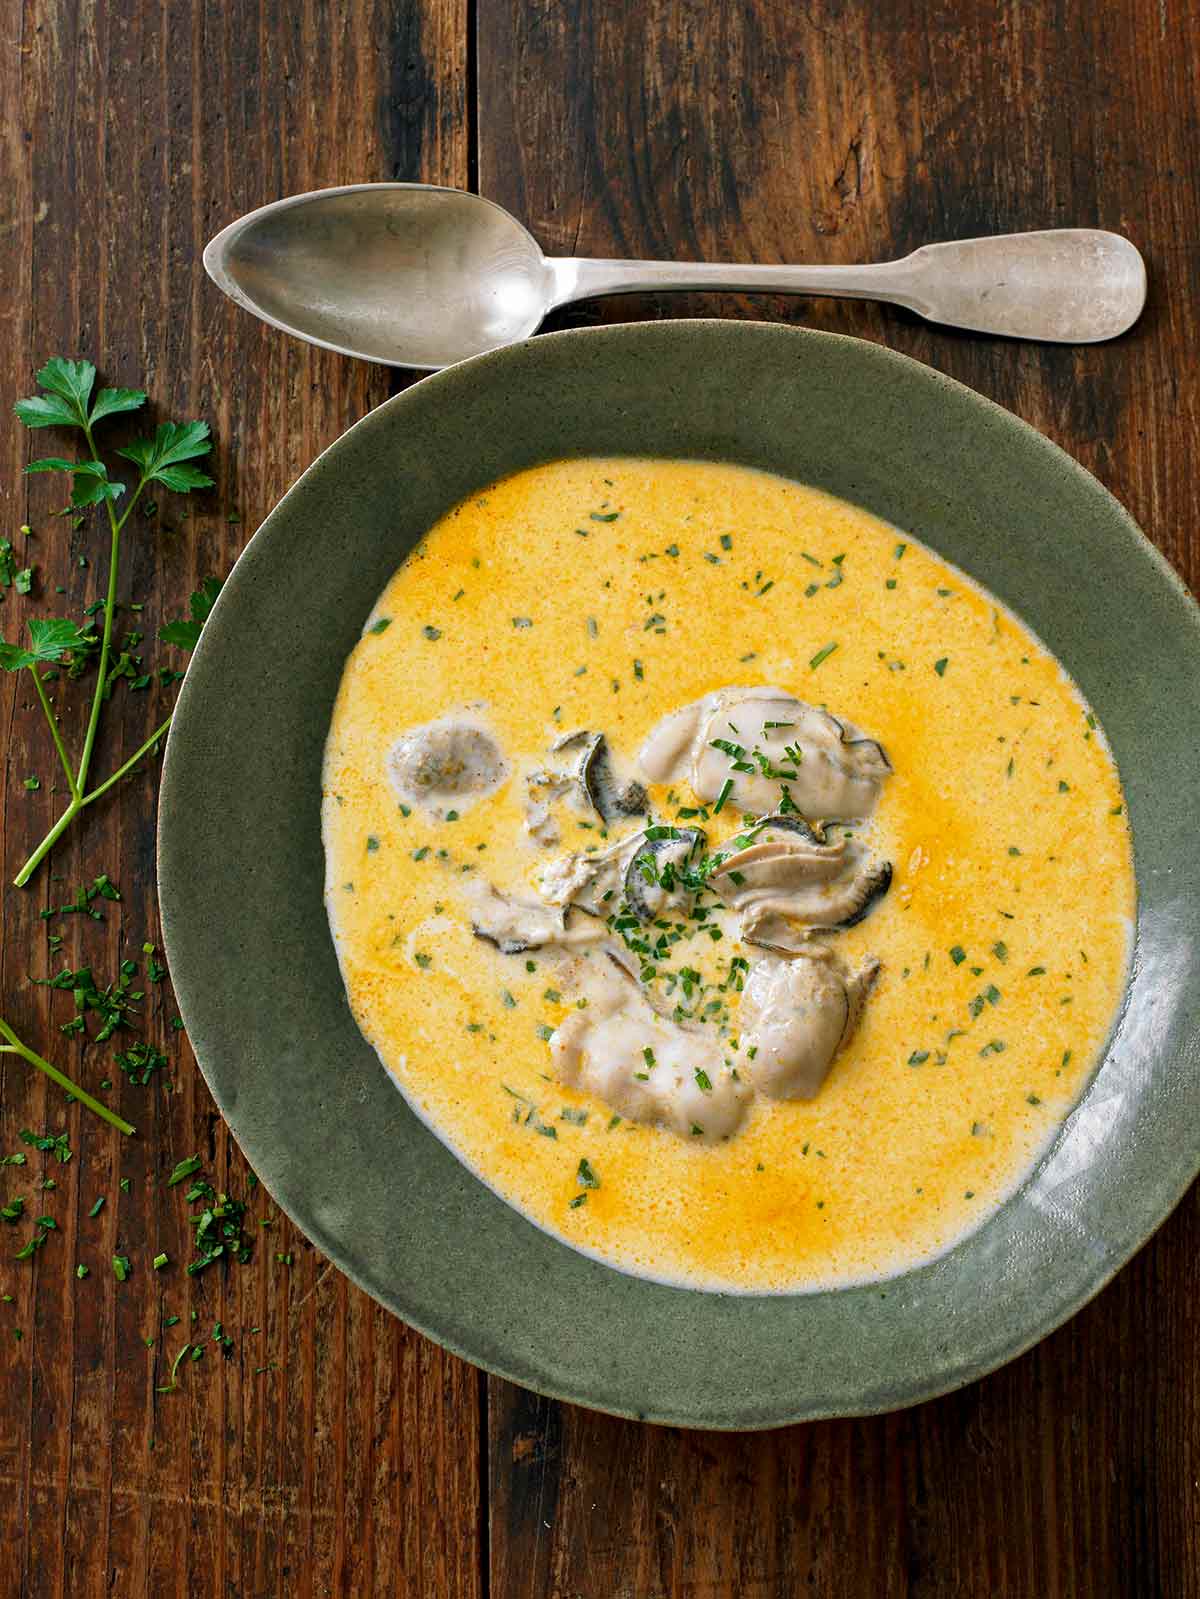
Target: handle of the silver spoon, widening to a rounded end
[1062, 285]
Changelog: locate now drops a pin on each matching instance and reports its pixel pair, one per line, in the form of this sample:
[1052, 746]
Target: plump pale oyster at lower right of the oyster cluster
[796, 1015]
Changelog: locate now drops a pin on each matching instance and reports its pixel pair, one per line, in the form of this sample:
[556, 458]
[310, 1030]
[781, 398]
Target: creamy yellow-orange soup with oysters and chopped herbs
[732, 883]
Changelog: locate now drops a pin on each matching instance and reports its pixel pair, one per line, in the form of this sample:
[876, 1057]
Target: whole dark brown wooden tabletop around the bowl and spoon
[338, 1453]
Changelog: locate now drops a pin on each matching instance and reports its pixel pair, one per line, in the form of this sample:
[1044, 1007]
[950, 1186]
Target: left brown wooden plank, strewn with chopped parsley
[337, 1453]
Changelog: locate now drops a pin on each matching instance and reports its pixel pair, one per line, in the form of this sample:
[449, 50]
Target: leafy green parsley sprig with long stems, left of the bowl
[68, 401]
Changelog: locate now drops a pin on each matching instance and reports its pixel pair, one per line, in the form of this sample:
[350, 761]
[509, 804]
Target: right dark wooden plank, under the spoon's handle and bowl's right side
[847, 132]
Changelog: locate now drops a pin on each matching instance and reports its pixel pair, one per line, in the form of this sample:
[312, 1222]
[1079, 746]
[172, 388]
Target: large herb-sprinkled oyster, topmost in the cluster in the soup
[769, 744]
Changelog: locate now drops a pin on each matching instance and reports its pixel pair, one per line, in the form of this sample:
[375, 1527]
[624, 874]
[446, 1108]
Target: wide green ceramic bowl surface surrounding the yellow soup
[241, 871]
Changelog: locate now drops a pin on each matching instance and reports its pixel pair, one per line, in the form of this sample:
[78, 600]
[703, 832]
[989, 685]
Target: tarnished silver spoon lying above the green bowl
[415, 276]
